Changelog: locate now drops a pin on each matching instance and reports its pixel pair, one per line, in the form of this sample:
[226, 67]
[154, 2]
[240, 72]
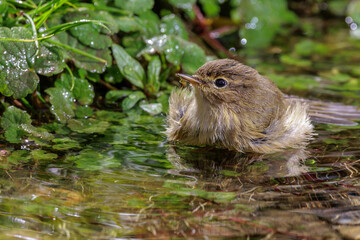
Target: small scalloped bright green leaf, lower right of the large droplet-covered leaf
[83, 91]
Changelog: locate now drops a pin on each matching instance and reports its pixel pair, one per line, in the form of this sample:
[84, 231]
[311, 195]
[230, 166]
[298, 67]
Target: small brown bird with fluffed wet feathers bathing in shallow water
[231, 105]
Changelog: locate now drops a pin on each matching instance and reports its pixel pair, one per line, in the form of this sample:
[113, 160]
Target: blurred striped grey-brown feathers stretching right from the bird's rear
[330, 112]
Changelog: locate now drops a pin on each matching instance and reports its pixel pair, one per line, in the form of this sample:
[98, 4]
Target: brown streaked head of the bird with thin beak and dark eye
[228, 81]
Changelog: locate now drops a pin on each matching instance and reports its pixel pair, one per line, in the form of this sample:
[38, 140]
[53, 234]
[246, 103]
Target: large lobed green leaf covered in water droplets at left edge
[19, 62]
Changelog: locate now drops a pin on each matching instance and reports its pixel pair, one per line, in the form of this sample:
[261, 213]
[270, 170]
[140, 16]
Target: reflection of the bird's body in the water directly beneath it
[211, 161]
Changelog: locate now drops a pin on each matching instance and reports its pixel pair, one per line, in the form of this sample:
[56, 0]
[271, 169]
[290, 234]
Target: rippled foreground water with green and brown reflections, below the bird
[117, 189]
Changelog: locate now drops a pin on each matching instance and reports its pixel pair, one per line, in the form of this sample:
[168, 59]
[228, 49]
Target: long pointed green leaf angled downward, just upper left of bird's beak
[128, 66]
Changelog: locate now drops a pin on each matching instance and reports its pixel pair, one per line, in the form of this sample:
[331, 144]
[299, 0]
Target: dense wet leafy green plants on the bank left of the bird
[64, 49]
